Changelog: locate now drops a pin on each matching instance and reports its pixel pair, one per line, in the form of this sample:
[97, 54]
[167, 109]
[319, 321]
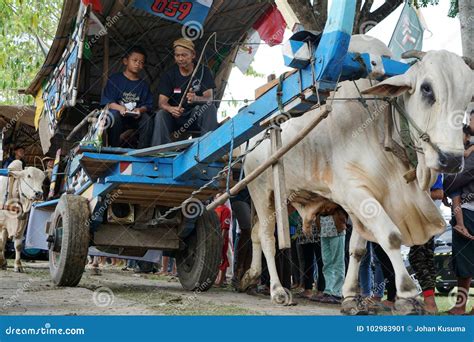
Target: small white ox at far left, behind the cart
[23, 187]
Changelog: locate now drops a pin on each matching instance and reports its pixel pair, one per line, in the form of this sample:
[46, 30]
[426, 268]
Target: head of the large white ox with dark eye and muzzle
[436, 91]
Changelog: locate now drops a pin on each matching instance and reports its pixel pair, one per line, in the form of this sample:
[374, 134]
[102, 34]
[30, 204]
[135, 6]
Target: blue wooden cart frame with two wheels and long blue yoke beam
[126, 201]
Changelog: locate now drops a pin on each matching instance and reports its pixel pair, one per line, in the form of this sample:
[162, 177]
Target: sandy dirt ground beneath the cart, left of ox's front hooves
[117, 292]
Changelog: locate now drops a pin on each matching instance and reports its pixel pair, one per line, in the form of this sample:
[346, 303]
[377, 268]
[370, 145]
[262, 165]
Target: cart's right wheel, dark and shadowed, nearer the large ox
[198, 263]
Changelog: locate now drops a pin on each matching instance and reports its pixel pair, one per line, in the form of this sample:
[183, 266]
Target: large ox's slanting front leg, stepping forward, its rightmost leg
[376, 220]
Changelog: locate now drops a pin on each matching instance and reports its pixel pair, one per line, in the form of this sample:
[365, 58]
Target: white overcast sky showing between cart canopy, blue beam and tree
[444, 33]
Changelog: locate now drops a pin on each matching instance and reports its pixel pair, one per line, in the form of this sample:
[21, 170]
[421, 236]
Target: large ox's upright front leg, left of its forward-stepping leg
[352, 304]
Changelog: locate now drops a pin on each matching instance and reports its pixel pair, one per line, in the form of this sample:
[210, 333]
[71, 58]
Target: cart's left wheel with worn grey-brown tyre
[69, 241]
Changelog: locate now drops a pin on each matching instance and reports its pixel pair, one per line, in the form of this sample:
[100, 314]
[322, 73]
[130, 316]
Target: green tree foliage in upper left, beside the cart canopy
[23, 24]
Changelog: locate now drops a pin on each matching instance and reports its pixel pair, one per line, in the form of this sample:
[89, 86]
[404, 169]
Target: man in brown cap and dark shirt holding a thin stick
[180, 110]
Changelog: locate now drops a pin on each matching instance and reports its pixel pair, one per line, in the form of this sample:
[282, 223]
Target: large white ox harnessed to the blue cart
[343, 160]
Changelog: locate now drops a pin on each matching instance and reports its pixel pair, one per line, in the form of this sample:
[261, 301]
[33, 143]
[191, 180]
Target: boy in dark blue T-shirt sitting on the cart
[130, 100]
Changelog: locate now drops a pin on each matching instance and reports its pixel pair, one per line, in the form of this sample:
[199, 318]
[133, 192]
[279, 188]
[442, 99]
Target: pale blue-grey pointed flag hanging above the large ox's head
[408, 34]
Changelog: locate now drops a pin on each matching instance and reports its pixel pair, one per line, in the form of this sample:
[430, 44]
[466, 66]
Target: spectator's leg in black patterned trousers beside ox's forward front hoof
[422, 261]
